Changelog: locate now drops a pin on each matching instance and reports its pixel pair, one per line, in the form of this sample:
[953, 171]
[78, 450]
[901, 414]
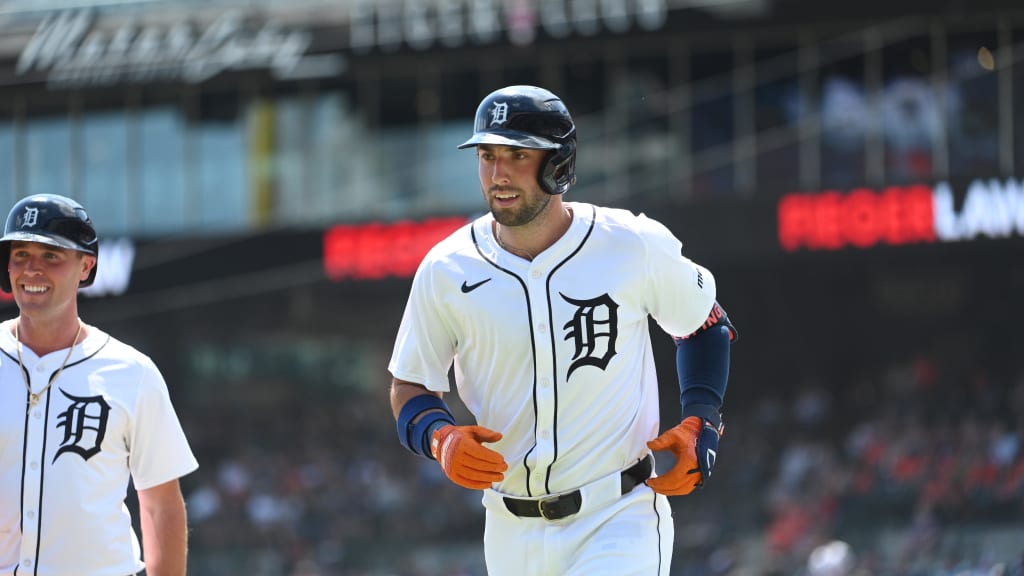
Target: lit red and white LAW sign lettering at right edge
[898, 216]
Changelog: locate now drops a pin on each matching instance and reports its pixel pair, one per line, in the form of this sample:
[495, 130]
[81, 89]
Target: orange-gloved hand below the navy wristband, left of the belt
[465, 461]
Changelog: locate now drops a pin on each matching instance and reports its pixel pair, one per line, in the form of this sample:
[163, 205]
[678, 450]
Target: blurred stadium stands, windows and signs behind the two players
[267, 175]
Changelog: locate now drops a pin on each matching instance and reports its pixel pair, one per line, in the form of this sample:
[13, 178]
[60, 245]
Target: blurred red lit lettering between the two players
[375, 251]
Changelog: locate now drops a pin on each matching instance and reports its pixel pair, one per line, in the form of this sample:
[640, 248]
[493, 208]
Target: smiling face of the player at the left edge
[46, 279]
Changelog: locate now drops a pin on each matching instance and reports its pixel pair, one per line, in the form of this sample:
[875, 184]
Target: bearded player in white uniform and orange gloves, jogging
[542, 307]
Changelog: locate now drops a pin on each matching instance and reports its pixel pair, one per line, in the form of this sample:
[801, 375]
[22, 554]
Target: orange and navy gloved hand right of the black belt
[695, 442]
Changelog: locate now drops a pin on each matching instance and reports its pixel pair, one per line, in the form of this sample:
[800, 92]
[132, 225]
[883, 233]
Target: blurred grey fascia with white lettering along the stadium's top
[83, 47]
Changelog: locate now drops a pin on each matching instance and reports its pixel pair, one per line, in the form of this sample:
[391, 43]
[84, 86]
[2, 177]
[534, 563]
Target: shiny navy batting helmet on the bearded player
[535, 118]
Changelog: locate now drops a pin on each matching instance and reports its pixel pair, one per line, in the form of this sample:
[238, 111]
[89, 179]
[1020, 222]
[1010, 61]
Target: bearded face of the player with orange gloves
[508, 180]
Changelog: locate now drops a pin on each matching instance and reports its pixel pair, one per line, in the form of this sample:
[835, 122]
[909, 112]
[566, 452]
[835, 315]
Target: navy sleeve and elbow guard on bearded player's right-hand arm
[703, 366]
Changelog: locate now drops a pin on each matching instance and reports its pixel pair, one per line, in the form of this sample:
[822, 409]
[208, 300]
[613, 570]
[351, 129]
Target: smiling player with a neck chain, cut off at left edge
[80, 414]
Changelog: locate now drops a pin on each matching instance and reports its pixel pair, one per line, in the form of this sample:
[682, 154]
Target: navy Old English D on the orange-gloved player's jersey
[594, 330]
